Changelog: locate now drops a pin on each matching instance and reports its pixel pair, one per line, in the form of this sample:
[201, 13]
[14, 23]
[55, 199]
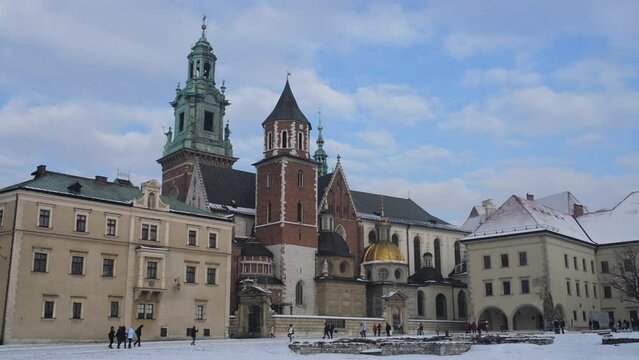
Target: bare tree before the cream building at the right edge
[624, 274]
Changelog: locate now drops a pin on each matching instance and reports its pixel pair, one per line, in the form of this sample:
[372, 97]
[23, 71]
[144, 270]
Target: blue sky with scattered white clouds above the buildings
[446, 102]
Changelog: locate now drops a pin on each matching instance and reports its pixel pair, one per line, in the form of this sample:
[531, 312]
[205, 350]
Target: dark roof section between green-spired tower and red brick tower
[226, 186]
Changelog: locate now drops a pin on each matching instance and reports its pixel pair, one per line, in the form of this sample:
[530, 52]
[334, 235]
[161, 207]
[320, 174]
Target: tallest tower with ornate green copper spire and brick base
[198, 133]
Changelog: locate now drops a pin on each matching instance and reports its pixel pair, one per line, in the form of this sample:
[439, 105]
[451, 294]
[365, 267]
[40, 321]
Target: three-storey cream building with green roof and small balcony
[79, 255]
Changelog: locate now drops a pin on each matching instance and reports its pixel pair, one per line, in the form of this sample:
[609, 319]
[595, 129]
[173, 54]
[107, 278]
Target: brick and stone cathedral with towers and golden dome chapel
[305, 243]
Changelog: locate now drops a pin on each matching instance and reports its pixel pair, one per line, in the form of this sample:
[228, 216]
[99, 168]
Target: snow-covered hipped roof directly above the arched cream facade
[519, 215]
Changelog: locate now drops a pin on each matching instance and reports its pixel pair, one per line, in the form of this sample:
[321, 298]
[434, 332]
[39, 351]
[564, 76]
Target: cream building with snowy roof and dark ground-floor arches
[530, 262]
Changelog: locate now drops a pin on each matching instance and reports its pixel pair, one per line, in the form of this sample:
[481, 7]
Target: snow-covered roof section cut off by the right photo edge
[619, 224]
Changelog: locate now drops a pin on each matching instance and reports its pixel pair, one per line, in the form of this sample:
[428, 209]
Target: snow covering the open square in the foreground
[566, 347]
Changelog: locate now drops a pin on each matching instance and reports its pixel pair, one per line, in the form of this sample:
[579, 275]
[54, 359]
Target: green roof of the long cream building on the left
[119, 192]
